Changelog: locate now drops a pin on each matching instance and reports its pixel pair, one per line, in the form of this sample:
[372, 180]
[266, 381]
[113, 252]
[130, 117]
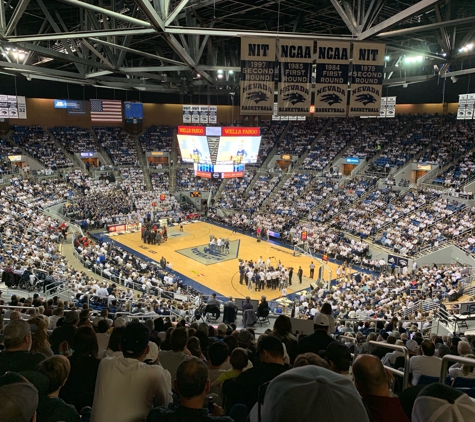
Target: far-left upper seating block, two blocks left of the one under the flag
[38, 143]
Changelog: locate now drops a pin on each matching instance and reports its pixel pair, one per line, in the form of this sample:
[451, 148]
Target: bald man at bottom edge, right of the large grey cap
[371, 381]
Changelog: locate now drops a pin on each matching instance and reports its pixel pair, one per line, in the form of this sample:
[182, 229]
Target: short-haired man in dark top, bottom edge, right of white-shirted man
[192, 385]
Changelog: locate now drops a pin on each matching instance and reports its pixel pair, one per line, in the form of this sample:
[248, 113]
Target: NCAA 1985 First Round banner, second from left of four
[295, 81]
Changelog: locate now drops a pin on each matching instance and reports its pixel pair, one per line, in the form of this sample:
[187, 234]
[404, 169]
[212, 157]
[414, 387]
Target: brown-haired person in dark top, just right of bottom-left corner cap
[51, 408]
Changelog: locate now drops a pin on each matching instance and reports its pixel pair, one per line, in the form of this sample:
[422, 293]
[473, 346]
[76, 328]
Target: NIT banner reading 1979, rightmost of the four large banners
[366, 79]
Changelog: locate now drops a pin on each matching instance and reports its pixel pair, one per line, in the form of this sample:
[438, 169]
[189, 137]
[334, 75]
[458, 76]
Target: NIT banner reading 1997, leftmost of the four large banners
[257, 75]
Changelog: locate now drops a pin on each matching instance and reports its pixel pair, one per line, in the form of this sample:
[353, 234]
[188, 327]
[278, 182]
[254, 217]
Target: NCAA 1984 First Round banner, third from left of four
[331, 83]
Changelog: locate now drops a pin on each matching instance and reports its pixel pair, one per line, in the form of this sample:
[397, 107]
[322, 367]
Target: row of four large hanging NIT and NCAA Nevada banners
[332, 77]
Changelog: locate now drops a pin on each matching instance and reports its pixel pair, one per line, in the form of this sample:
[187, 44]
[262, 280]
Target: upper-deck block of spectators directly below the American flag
[118, 144]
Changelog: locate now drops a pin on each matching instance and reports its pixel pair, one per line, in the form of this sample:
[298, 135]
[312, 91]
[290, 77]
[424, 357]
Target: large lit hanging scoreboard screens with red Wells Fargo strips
[219, 145]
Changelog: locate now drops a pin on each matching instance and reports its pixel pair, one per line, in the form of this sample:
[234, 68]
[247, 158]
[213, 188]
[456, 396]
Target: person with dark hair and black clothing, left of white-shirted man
[79, 389]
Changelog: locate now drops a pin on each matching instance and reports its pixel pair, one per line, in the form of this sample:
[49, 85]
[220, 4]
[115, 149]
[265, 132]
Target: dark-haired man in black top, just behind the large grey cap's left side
[244, 389]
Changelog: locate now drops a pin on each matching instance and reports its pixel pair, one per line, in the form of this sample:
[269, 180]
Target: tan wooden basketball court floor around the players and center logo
[222, 277]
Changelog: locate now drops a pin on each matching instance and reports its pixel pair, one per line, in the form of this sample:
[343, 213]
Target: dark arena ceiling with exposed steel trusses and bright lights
[193, 46]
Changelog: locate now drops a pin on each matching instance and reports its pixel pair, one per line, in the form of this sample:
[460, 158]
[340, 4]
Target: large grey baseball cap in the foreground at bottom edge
[309, 393]
